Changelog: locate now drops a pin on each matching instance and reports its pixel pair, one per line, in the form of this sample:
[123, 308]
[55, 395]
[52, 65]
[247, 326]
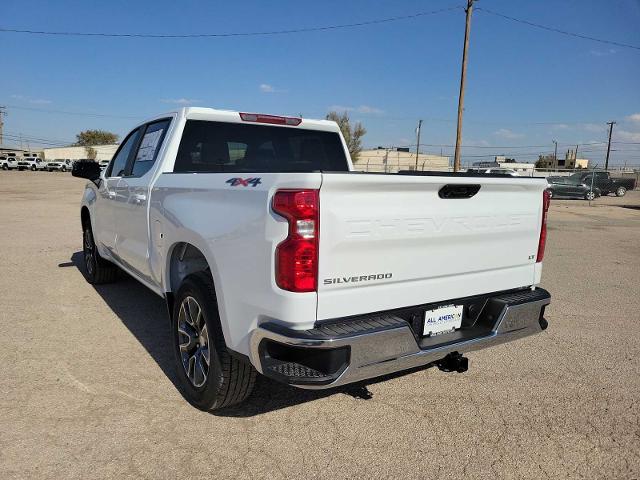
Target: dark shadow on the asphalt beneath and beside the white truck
[145, 316]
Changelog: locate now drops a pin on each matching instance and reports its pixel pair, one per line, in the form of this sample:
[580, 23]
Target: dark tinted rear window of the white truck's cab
[235, 147]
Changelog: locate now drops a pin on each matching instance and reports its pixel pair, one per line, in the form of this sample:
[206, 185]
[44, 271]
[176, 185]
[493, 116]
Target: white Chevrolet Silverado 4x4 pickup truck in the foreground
[274, 256]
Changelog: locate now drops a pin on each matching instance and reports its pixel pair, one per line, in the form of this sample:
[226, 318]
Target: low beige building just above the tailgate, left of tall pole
[392, 160]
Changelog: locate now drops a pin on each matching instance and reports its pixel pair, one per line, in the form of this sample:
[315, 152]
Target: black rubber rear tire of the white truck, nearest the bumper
[228, 379]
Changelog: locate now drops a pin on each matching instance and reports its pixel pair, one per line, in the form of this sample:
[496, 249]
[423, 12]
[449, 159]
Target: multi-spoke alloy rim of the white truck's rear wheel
[193, 342]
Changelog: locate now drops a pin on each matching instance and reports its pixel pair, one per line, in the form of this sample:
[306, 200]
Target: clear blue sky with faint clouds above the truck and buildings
[525, 86]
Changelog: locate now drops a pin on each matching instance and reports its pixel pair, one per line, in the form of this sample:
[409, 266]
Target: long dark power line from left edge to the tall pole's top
[235, 34]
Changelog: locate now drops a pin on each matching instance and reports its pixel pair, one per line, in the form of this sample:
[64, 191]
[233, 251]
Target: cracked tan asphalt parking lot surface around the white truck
[88, 384]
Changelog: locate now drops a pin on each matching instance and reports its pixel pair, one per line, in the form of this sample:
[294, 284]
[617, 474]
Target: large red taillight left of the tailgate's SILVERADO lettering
[297, 255]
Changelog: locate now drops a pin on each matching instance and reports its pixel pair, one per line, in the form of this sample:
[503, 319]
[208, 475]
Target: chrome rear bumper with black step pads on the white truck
[358, 349]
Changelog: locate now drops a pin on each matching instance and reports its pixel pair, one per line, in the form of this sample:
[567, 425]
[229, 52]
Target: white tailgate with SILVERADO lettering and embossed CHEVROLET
[390, 241]
